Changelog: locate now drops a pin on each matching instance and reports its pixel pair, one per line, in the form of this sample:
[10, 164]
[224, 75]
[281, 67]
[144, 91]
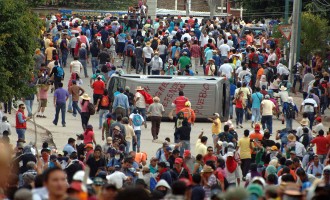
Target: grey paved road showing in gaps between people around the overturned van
[73, 125]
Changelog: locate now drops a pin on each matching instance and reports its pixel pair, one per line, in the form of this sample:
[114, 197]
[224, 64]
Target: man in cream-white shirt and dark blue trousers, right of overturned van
[267, 107]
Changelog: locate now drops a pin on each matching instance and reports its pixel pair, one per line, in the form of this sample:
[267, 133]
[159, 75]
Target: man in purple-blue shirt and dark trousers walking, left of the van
[61, 95]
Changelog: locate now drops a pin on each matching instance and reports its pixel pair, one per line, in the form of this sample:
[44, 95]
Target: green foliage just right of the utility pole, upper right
[314, 32]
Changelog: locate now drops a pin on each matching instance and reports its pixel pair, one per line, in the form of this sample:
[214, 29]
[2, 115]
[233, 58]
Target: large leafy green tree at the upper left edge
[18, 41]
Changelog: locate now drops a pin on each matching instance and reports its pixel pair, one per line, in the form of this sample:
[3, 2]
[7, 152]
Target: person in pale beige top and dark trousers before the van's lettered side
[155, 112]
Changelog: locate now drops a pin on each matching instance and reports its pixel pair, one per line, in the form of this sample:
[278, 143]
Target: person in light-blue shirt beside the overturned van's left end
[120, 104]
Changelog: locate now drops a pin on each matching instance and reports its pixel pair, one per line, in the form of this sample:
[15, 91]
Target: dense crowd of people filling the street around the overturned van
[285, 162]
